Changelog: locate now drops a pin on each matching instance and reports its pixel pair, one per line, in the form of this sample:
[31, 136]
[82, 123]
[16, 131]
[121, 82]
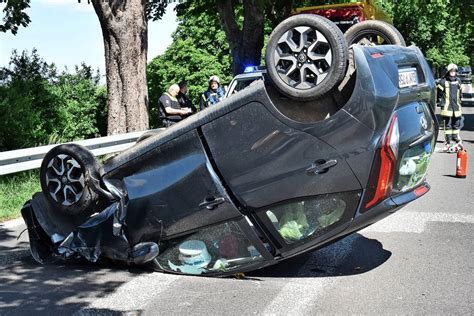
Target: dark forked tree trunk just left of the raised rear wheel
[246, 44]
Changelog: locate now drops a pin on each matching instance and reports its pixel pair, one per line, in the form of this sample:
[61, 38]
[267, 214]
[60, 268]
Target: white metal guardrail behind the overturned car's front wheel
[30, 158]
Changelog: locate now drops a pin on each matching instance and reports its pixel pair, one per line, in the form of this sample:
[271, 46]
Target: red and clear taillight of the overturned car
[388, 160]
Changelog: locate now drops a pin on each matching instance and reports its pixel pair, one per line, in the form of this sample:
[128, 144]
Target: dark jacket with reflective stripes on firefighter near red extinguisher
[451, 97]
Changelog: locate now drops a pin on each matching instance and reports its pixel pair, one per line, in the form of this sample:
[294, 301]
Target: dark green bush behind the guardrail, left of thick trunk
[39, 106]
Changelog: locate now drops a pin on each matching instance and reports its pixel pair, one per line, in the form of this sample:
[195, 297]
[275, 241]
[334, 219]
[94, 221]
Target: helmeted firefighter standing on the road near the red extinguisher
[451, 111]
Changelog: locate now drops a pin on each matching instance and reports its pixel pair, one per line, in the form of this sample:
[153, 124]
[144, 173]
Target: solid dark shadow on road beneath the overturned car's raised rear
[352, 255]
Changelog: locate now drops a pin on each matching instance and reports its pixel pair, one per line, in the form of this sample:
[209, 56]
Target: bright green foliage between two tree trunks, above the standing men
[199, 50]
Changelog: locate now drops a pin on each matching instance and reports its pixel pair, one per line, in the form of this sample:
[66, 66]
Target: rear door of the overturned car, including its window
[297, 187]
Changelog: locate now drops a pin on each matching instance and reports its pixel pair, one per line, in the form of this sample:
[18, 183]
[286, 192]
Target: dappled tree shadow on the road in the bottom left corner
[27, 287]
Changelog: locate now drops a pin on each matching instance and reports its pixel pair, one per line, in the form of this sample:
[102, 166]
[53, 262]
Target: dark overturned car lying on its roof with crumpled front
[335, 139]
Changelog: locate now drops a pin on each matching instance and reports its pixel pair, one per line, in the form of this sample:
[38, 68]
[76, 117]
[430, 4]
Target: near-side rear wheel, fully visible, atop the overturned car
[310, 61]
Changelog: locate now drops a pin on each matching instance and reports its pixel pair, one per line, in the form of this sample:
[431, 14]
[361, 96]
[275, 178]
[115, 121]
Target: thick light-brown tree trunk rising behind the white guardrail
[124, 29]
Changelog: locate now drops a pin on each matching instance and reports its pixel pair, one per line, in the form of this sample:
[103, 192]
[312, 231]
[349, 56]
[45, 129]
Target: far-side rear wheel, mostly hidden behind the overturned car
[374, 32]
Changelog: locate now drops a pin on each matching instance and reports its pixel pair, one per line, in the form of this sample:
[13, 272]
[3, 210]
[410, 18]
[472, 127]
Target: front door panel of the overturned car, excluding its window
[172, 190]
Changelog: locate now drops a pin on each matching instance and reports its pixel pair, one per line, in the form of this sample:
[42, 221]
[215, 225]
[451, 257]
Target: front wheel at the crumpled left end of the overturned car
[66, 179]
